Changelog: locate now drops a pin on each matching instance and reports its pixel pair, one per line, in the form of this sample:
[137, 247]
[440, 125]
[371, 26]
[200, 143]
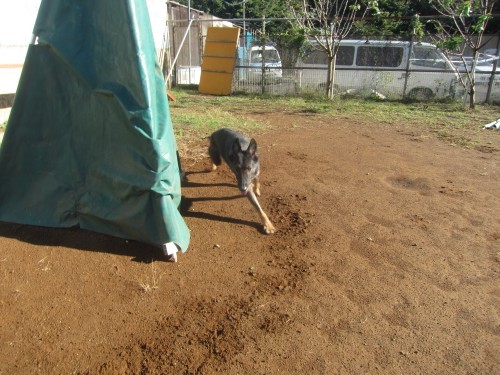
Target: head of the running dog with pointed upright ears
[245, 164]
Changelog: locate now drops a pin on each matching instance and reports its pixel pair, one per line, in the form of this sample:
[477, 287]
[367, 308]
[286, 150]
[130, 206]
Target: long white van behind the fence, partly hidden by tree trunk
[380, 66]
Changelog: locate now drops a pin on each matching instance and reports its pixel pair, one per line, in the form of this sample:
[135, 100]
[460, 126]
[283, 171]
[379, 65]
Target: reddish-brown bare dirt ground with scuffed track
[386, 261]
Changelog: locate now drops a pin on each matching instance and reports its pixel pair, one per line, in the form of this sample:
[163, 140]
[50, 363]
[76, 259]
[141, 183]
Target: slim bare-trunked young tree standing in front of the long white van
[328, 22]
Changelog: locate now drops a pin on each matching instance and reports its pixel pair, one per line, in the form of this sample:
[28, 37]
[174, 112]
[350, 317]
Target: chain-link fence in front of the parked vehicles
[386, 67]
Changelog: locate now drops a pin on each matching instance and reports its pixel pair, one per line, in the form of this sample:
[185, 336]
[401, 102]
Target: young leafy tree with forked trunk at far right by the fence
[463, 27]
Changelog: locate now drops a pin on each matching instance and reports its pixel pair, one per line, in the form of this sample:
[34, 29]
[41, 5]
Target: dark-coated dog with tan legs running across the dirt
[240, 154]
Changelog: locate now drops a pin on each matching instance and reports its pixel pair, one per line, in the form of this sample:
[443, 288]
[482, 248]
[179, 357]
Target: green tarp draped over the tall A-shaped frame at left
[89, 141]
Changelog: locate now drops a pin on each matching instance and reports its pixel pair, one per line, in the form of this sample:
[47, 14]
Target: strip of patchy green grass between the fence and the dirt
[195, 116]
